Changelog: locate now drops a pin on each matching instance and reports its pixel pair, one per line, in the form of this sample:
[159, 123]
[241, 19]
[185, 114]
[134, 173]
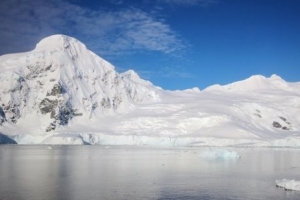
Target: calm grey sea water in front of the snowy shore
[96, 172]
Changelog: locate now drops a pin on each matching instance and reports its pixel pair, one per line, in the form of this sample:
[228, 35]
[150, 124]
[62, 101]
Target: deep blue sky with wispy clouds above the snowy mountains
[176, 44]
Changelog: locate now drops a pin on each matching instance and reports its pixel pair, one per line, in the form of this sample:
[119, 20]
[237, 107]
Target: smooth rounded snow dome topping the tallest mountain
[58, 41]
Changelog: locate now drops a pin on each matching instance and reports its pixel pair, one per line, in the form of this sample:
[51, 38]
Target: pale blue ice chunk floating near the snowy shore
[219, 154]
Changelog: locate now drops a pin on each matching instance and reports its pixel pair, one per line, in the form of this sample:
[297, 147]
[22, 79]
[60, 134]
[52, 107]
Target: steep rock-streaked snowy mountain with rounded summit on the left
[60, 80]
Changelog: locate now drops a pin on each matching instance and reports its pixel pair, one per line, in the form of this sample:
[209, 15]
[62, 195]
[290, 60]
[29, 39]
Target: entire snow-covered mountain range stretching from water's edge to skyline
[62, 93]
